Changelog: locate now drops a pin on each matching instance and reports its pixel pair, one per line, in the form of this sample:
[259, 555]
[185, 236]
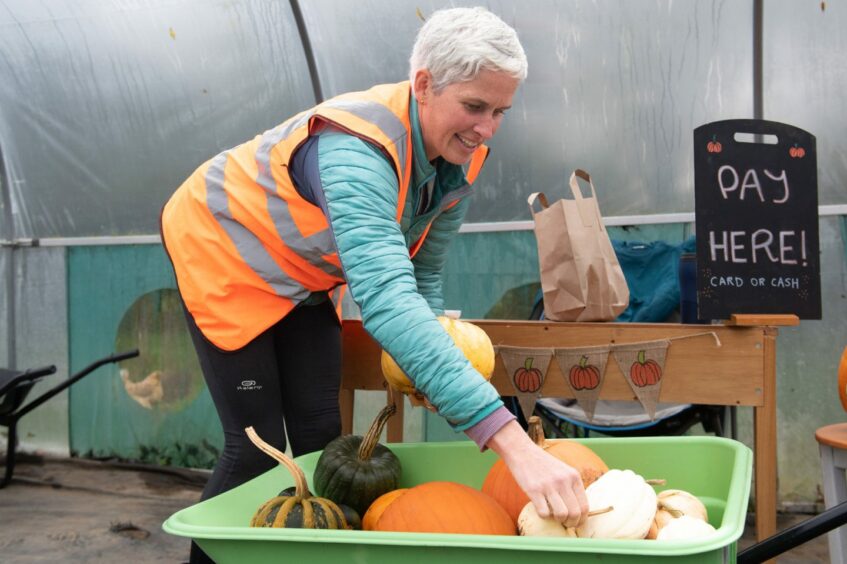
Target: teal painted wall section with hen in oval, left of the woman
[116, 302]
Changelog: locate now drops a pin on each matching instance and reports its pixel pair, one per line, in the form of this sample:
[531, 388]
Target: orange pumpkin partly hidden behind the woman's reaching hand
[501, 485]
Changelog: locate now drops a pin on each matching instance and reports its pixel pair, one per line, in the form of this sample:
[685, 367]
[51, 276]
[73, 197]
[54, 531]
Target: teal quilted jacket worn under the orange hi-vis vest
[398, 297]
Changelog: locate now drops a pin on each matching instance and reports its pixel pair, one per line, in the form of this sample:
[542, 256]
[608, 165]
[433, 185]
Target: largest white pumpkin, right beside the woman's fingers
[634, 506]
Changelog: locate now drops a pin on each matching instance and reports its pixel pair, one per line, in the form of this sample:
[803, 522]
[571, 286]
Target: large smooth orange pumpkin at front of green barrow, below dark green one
[444, 507]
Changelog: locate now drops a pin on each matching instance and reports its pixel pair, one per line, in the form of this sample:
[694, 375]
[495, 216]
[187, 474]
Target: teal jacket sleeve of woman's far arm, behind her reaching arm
[429, 260]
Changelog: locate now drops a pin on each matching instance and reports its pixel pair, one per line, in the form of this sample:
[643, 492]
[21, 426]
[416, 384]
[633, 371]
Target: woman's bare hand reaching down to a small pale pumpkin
[554, 488]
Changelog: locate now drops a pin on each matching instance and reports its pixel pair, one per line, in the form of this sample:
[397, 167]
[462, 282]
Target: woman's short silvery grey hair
[456, 43]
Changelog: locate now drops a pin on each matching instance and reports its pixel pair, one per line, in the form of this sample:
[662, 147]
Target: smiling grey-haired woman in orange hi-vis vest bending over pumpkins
[366, 190]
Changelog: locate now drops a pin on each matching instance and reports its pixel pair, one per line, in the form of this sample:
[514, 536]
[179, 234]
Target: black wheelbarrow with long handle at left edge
[15, 385]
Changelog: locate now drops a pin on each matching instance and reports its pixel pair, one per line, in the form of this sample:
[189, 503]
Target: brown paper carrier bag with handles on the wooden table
[581, 278]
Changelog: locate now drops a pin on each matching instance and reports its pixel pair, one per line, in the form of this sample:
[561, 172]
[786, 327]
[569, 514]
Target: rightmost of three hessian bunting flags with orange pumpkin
[643, 365]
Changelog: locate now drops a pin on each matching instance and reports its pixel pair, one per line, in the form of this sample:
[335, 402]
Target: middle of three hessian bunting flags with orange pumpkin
[584, 369]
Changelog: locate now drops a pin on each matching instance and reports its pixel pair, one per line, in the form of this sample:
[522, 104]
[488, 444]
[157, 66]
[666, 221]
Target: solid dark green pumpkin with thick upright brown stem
[354, 470]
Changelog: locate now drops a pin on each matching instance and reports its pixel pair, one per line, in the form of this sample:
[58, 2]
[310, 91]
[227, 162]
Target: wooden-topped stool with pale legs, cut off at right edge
[832, 440]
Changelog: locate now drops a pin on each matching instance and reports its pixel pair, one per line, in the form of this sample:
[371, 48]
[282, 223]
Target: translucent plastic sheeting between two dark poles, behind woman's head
[614, 87]
